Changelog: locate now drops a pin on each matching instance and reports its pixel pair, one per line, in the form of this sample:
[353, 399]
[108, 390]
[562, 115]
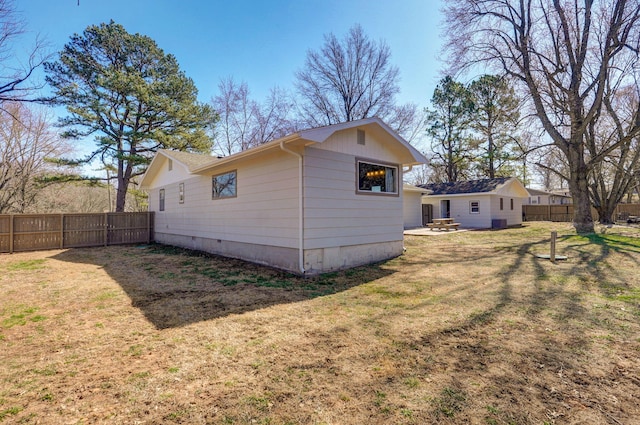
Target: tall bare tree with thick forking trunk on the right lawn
[565, 54]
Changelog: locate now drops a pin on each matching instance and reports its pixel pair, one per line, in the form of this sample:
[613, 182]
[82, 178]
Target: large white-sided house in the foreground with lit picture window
[318, 200]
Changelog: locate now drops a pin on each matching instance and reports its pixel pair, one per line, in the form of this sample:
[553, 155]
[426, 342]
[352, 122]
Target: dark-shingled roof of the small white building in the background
[498, 185]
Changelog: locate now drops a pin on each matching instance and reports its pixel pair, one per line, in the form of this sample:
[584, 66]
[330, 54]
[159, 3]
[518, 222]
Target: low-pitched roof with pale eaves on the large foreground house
[202, 164]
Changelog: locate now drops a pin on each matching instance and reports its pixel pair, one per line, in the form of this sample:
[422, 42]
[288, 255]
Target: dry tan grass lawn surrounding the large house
[468, 327]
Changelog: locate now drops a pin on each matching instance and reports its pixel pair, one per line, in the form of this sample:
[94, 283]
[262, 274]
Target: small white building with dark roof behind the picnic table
[479, 204]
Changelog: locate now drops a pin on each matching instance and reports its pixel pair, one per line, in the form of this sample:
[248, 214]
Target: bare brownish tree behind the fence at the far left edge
[26, 144]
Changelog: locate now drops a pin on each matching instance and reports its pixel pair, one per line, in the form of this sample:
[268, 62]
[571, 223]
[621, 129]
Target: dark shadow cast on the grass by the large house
[176, 287]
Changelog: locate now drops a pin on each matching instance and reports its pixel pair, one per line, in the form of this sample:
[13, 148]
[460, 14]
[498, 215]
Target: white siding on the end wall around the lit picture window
[334, 214]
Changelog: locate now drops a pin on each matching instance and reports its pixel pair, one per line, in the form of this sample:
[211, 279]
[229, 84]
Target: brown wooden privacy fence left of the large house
[33, 232]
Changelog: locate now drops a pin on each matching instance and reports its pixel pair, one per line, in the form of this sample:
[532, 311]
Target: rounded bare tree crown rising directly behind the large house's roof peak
[350, 79]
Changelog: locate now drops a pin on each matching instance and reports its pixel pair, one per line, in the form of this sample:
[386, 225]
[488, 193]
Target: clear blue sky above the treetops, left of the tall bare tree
[260, 42]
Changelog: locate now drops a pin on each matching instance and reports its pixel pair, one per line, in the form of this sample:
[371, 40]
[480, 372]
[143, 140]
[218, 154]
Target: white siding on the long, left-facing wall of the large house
[264, 212]
